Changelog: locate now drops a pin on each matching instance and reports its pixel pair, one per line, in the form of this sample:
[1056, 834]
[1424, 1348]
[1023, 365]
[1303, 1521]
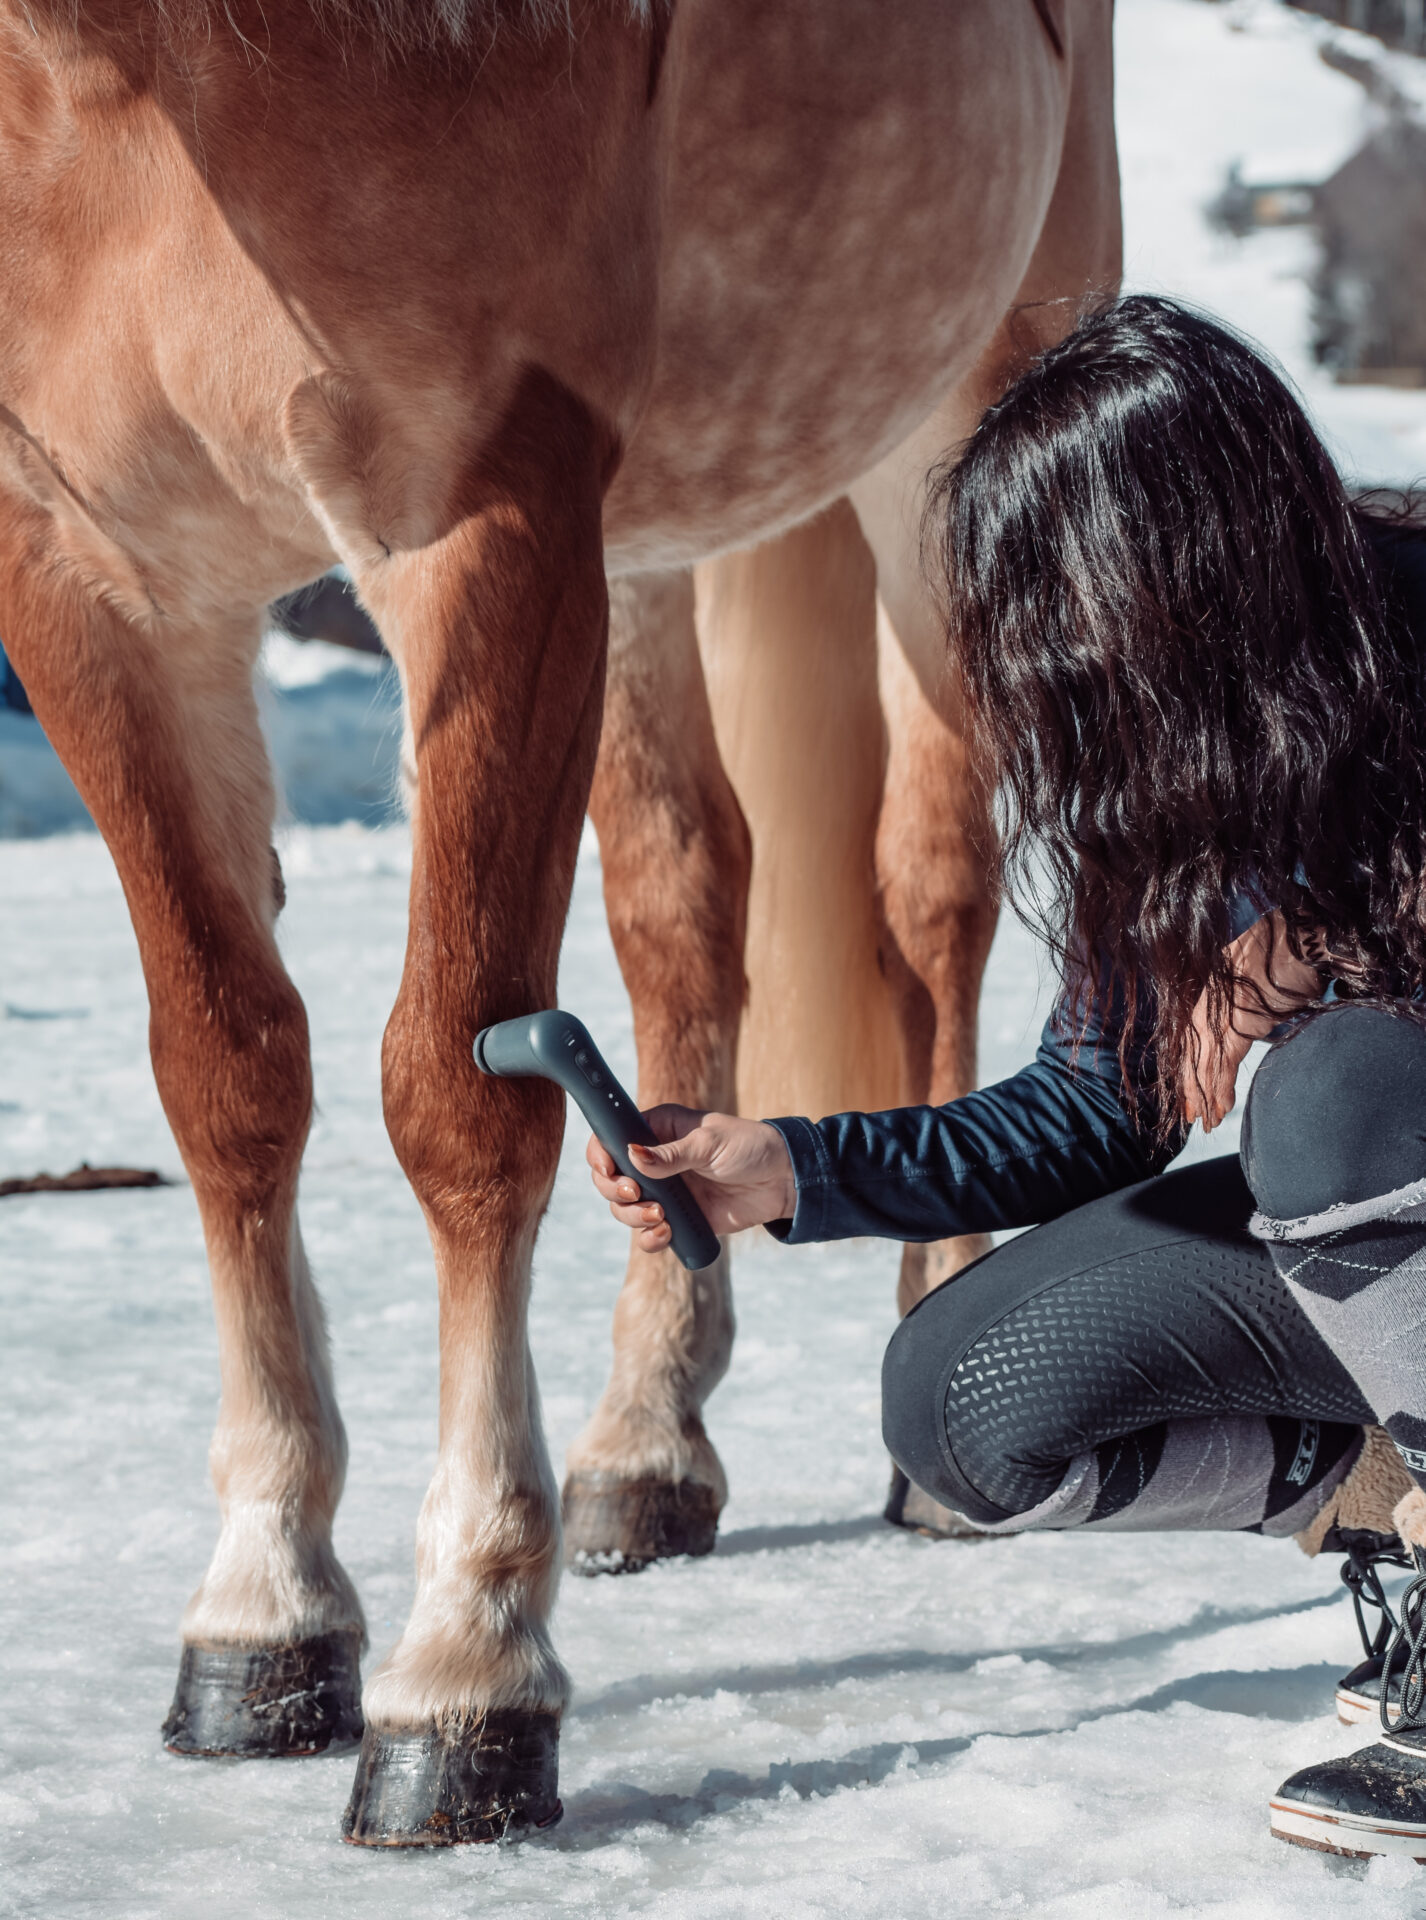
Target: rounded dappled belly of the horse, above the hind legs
[855, 199]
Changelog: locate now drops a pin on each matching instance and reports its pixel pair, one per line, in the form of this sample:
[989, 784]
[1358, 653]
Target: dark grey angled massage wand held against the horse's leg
[558, 1047]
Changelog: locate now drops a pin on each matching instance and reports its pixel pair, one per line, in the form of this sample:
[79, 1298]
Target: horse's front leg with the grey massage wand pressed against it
[500, 633]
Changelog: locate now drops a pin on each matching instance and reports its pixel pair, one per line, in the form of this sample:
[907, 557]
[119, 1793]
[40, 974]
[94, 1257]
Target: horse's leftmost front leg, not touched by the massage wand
[160, 734]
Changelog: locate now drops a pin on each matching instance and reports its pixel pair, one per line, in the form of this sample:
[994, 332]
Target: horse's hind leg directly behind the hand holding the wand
[644, 1479]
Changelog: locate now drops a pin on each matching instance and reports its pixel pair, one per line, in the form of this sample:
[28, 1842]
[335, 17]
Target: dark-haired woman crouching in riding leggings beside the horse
[1199, 679]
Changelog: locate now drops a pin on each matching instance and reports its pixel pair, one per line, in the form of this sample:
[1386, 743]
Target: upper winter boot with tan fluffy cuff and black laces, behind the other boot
[1358, 1522]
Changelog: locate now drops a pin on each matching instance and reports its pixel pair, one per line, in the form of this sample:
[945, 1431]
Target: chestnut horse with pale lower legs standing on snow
[496, 302]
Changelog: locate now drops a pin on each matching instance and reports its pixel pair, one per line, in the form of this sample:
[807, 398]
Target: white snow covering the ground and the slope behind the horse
[826, 1717]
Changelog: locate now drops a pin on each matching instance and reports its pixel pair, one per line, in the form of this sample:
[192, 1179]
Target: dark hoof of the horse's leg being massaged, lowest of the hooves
[483, 1783]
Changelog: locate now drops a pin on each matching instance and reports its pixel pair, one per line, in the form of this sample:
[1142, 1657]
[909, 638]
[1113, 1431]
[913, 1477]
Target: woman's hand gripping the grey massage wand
[738, 1170]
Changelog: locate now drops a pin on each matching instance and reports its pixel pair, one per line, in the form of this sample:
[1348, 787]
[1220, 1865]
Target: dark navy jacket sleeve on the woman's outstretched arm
[1051, 1138]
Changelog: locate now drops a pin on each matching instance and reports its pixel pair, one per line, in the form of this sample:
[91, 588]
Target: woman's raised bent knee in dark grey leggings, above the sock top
[1339, 1113]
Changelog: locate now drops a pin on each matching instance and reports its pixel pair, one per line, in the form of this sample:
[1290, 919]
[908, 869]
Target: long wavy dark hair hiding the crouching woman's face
[1185, 671]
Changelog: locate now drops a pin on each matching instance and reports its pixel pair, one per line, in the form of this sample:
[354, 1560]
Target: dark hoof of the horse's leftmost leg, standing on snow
[268, 1702]
